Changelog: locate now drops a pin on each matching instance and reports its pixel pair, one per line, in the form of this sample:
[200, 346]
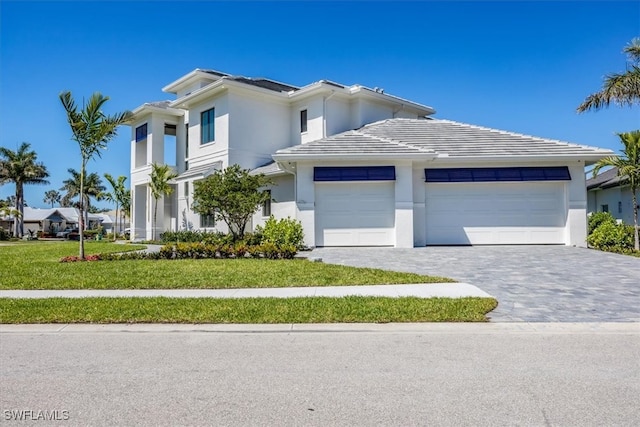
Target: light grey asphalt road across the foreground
[449, 375]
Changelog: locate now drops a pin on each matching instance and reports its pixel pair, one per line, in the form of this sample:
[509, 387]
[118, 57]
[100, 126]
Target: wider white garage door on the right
[495, 213]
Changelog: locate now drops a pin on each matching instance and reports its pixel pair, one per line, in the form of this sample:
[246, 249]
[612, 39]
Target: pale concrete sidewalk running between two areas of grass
[427, 290]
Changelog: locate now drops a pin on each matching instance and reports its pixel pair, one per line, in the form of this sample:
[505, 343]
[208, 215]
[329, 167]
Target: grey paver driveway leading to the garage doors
[531, 283]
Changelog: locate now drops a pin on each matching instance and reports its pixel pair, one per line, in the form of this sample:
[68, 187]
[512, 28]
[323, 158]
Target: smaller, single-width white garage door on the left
[355, 214]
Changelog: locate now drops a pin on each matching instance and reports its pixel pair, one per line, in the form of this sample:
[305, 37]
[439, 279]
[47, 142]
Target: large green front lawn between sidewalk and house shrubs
[35, 265]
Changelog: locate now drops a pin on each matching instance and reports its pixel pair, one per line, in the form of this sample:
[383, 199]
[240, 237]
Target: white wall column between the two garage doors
[404, 205]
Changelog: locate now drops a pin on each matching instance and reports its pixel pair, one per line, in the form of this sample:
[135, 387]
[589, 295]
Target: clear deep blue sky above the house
[512, 65]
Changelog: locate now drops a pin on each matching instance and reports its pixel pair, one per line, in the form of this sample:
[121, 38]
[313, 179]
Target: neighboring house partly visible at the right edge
[608, 192]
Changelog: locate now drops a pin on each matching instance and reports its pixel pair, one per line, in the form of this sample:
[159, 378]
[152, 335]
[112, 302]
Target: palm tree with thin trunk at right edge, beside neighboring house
[628, 165]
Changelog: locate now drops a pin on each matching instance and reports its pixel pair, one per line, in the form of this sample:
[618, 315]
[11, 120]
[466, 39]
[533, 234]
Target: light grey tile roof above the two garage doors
[443, 138]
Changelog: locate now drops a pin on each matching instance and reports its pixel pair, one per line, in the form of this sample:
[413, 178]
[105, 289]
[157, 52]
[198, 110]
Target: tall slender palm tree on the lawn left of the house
[92, 129]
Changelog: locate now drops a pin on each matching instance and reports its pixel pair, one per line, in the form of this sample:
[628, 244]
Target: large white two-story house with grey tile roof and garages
[357, 166]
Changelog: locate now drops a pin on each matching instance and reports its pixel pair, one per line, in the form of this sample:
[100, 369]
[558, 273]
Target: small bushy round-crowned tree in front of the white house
[232, 195]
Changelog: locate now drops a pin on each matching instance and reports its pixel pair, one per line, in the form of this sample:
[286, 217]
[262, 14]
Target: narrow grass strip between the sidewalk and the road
[353, 309]
